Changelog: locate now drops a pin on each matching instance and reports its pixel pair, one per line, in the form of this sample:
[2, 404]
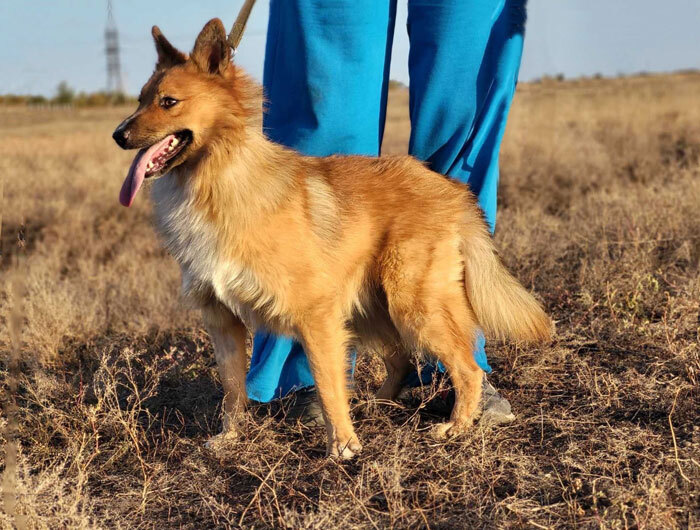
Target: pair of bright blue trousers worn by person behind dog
[326, 77]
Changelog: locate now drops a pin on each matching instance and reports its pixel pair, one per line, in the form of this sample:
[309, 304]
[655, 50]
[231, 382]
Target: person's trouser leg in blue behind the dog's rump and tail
[463, 65]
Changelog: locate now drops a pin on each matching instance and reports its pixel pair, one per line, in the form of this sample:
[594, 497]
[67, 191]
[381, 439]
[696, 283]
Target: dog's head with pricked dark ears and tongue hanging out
[187, 102]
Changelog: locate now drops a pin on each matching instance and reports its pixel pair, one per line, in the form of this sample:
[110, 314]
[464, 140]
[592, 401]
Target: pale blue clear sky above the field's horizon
[44, 42]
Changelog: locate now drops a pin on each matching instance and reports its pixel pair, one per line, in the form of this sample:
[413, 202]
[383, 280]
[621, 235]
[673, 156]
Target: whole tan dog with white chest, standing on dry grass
[333, 251]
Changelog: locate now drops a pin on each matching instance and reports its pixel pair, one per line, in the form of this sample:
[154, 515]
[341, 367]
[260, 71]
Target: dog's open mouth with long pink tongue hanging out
[153, 161]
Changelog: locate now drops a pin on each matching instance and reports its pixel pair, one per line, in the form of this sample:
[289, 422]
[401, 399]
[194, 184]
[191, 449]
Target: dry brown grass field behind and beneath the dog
[116, 388]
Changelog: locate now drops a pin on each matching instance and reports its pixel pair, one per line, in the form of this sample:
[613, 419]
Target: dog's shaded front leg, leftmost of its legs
[228, 334]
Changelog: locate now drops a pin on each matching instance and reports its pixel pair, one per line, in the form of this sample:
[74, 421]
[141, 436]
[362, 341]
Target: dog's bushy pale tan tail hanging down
[503, 307]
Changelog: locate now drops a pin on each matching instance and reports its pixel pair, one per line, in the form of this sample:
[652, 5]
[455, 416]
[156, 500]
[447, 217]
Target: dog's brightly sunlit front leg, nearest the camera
[325, 340]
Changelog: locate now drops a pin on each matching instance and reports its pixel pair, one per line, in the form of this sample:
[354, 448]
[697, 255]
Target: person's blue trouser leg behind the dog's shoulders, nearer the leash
[325, 80]
